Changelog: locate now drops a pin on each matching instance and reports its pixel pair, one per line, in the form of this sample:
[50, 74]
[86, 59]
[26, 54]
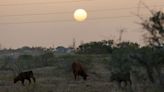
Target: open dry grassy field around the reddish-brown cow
[58, 77]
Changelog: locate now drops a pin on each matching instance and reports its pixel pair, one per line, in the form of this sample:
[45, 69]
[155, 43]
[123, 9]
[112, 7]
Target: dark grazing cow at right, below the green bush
[121, 77]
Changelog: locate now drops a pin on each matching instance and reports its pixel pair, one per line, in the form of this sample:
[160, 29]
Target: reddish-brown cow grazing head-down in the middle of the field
[78, 70]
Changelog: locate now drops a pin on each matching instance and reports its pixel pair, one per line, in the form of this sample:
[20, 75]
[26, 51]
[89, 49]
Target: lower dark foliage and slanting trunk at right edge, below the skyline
[151, 59]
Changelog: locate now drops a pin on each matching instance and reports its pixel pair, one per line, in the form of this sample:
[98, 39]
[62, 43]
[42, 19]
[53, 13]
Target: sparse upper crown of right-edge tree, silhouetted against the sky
[154, 25]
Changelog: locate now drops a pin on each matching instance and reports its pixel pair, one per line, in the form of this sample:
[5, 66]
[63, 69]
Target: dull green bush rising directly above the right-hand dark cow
[120, 57]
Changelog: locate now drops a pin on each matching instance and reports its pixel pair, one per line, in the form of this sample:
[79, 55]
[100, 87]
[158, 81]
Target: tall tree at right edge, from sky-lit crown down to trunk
[153, 57]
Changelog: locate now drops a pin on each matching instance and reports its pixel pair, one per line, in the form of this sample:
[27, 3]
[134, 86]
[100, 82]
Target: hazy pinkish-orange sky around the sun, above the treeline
[50, 22]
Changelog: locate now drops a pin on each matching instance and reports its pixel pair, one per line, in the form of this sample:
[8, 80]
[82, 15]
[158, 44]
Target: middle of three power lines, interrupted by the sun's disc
[51, 13]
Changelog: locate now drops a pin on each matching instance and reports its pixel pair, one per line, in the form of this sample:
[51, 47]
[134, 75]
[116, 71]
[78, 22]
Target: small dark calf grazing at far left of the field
[24, 75]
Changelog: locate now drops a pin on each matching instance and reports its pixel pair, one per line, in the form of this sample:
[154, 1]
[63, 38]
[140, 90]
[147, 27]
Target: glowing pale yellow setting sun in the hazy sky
[80, 15]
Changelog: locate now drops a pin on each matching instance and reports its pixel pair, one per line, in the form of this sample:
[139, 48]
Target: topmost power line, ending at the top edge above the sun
[38, 3]
